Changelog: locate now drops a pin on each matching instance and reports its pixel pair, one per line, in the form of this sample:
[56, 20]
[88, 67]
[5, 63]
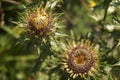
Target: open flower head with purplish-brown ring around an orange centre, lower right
[80, 59]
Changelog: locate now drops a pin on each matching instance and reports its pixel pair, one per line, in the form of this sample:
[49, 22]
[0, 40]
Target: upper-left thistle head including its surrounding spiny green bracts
[40, 21]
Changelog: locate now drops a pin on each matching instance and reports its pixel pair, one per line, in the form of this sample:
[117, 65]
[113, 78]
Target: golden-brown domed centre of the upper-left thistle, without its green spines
[39, 22]
